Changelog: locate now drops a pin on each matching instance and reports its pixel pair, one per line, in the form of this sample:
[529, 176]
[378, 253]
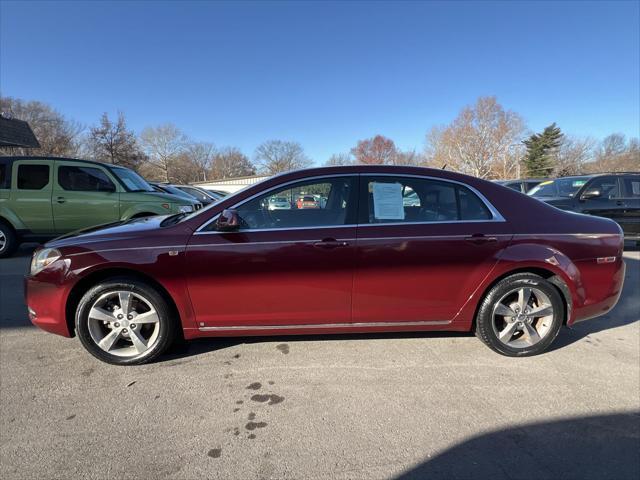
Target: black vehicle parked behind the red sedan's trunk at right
[610, 195]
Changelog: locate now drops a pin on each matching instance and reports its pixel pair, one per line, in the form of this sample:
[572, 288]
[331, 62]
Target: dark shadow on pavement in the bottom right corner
[598, 447]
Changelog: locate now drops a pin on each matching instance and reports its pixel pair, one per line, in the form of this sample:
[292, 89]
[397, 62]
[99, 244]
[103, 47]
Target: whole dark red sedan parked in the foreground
[391, 249]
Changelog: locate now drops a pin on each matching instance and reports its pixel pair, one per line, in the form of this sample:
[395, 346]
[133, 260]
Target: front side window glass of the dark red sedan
[319, 203]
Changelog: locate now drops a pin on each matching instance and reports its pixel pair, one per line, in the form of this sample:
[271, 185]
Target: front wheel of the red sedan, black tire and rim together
[124, 322]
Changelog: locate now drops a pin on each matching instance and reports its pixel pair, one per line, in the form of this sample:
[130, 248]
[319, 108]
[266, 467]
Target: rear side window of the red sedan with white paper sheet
[400, 199]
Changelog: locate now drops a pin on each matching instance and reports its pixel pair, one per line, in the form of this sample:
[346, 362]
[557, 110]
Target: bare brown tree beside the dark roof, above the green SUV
[56, 134]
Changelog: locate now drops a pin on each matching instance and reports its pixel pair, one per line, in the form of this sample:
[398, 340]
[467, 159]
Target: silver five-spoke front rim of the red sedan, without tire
[123, 323]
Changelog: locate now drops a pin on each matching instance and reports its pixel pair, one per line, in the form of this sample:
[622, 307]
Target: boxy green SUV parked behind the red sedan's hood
[42, 197]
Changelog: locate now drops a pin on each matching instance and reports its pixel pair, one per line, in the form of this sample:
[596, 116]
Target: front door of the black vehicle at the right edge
[608, 203]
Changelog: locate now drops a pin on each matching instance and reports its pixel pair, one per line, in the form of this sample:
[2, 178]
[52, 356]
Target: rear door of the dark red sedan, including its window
[418, 262]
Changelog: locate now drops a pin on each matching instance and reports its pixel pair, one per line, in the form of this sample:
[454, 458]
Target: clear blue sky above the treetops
[325, 74]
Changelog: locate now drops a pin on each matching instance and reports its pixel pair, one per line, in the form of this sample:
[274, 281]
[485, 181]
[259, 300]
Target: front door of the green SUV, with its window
[84, 195]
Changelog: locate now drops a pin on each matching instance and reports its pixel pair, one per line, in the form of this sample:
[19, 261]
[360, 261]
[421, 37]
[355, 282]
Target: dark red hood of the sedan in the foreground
[122, 231]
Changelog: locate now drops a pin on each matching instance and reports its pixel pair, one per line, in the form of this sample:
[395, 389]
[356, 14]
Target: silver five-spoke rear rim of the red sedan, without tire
[522, 317]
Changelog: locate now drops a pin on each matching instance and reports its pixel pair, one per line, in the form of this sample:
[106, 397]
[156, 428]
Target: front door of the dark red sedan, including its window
[283, 267]
